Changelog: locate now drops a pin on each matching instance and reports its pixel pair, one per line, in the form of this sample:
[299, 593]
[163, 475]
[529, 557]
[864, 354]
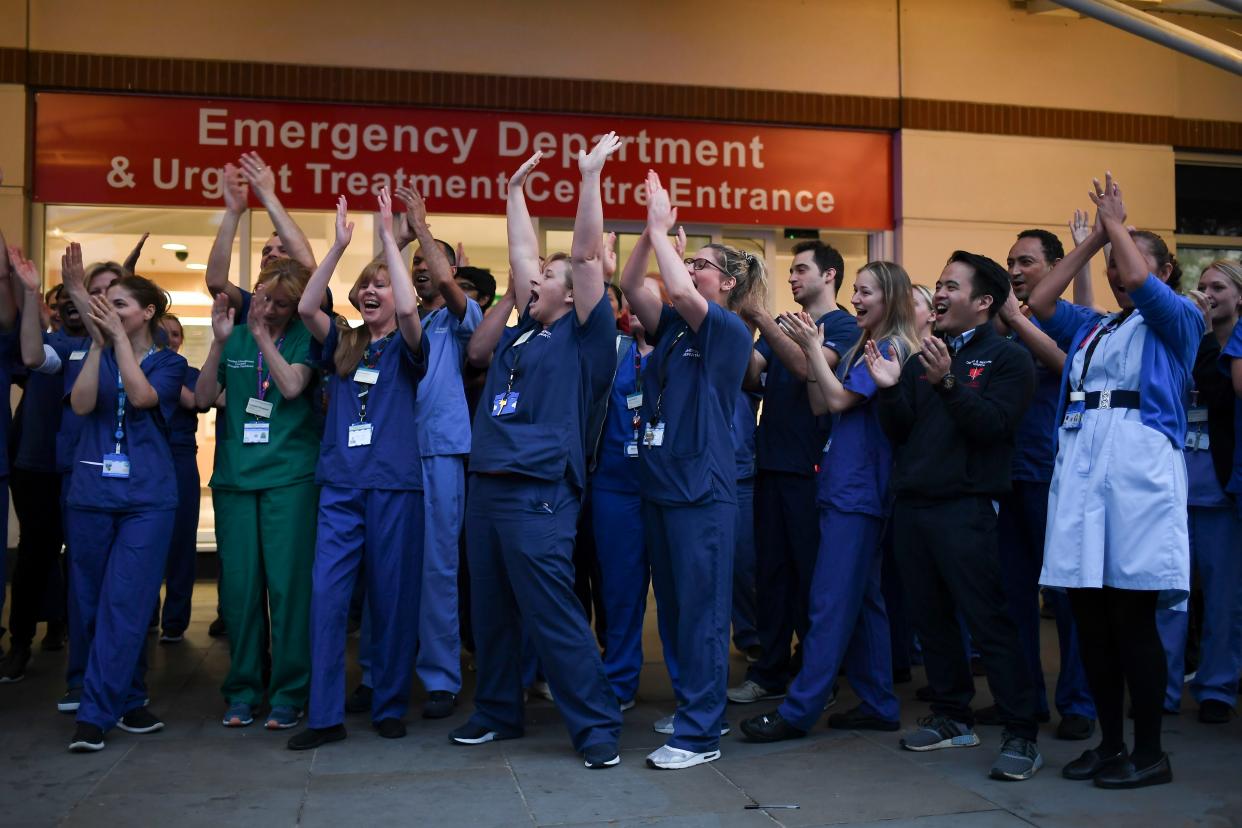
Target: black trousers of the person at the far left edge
[37, 500]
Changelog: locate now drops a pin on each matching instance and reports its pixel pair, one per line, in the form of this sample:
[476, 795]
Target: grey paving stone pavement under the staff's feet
[197, 773]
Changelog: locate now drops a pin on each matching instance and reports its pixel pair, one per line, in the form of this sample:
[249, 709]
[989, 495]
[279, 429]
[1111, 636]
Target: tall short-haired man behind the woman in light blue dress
[1024, 512]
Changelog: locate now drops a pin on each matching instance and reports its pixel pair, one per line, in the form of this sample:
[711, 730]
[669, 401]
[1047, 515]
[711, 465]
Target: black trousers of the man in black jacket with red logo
[947, 554]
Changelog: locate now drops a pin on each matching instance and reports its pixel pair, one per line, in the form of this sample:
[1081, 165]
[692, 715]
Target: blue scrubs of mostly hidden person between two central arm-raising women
[617, 526]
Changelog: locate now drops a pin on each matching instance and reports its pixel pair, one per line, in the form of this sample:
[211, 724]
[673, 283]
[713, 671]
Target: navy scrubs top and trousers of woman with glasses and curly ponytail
[690, 507]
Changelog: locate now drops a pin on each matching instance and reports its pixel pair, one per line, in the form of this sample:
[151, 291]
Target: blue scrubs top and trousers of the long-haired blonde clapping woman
[849, 625]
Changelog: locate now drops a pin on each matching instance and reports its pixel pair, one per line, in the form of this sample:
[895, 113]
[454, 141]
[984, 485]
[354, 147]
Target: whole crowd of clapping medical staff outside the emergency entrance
[350, 461]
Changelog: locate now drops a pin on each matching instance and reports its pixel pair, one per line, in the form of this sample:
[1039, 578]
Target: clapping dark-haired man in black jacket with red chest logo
[953, 413]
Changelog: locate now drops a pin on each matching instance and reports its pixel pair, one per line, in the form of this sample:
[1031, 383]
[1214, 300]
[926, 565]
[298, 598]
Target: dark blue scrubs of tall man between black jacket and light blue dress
[1022, 526]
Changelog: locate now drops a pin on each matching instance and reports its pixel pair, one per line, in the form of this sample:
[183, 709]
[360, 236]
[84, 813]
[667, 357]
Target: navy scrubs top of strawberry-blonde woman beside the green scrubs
[393, 460]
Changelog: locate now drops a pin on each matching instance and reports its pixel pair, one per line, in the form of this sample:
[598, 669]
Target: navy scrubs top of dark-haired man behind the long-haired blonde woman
[791, 438]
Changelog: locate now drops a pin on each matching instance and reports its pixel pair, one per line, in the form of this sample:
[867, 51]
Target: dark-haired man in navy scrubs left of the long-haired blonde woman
[789, 444]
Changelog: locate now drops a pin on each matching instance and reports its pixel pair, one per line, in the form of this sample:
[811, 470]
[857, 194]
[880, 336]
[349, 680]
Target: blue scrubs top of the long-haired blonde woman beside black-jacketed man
[859, 461]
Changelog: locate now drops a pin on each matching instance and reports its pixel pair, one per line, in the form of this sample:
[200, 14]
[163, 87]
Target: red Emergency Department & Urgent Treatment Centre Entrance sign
[141, 151]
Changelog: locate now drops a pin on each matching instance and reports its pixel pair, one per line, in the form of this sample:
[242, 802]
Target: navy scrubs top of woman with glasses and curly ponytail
[692, 382]
